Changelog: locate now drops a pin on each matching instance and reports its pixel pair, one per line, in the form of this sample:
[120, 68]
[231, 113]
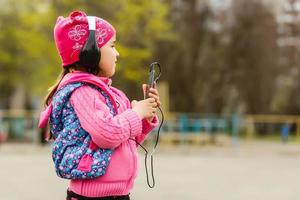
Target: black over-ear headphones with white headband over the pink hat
[89, 56]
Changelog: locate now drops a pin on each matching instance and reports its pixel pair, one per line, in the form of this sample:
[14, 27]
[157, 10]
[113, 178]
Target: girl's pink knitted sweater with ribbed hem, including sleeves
[108, 132]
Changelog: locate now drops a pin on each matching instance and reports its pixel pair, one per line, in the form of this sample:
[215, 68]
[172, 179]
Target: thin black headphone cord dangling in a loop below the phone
[151, 156]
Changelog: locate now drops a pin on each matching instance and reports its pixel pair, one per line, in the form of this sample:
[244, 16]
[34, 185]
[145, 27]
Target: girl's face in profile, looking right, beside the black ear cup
[109, 55]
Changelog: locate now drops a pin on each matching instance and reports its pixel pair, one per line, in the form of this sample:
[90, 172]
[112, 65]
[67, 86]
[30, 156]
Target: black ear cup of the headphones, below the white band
[90, 53]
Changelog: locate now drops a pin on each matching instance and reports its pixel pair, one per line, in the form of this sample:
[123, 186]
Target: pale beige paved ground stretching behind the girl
[253, 171]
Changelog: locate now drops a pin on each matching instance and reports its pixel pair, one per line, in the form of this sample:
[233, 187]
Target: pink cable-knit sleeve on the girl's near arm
[106, 130]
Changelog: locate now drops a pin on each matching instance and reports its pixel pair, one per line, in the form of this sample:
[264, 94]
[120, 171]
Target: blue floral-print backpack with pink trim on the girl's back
[73, 146]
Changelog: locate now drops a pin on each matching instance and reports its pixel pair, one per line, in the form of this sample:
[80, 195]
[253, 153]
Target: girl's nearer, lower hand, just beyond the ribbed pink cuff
[145, 108]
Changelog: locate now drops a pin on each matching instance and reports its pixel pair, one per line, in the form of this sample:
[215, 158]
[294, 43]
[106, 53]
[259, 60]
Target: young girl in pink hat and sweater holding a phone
[95, 127]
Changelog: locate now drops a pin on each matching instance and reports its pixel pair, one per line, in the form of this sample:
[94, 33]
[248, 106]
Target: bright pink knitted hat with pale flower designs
[71, 33]
